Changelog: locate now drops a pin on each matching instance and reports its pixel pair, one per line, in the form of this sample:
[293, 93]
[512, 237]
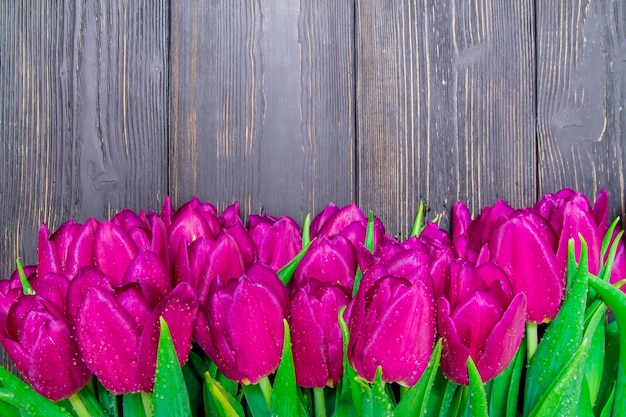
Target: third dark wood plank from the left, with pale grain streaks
[445, 106]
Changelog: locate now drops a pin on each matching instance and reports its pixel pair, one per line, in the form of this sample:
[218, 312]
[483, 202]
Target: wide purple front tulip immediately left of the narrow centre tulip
[241, 325]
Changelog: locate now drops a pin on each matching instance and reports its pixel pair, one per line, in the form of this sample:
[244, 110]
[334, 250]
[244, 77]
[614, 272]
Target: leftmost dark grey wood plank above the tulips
[83, 114]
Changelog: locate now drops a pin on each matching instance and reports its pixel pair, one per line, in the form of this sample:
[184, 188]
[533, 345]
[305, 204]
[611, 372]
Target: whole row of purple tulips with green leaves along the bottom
[191, 312]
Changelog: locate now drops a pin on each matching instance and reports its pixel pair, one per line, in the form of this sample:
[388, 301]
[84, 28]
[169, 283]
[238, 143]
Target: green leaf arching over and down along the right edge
[616, 299]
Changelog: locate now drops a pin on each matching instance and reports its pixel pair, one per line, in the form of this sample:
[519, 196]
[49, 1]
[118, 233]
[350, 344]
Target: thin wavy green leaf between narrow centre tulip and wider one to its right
[349, 392]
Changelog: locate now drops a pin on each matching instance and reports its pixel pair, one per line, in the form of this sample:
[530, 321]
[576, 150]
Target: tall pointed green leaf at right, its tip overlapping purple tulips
[563, 336]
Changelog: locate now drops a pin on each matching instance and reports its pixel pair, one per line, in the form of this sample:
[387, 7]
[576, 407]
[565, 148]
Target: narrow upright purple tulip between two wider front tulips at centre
[315, 334]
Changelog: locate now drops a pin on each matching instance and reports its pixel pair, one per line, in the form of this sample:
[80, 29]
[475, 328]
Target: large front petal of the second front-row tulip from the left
[108, 341]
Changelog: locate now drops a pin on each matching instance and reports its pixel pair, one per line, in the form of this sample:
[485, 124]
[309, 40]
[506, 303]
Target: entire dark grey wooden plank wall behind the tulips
[286, 106]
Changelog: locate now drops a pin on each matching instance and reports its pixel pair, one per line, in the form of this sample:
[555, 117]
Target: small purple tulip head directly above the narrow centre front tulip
[331, 260]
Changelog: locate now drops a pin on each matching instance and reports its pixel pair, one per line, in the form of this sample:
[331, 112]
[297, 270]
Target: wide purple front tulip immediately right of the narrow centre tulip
[392, 325]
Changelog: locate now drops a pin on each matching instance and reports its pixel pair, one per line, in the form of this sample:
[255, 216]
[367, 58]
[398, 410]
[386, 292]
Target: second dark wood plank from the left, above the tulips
[262, 104]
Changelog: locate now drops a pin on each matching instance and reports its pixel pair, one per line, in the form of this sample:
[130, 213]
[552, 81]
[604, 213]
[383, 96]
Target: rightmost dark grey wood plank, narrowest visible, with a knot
[581, 73]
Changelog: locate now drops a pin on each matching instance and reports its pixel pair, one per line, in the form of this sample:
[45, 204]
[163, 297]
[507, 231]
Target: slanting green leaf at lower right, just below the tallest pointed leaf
[561, 398]
